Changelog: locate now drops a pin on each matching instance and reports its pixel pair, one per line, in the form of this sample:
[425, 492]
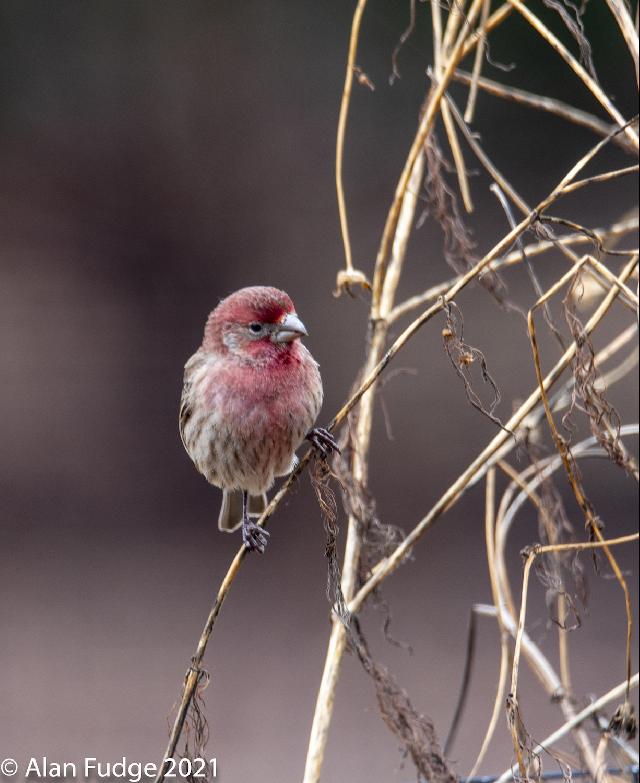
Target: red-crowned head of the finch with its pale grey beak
[256, 322]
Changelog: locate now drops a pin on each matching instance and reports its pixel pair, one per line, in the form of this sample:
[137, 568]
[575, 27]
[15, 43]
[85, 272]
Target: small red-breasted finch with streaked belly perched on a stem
[251, 395]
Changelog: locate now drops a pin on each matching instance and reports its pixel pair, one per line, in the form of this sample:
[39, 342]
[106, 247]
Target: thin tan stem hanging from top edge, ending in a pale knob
[349, 274]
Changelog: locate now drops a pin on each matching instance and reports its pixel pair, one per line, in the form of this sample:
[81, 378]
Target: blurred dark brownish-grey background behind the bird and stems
[156, 156]
